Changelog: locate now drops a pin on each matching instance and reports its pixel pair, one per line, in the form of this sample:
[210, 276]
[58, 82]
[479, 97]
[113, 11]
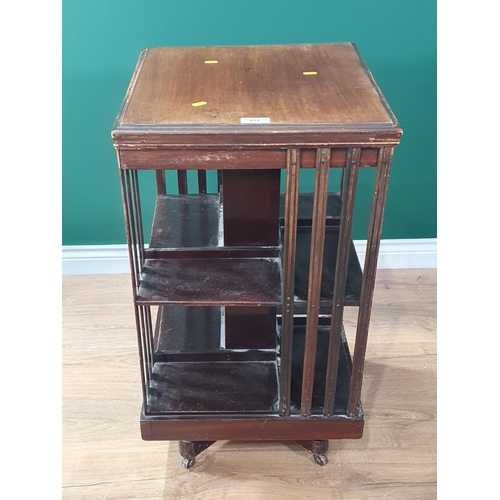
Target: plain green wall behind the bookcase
[102, 40]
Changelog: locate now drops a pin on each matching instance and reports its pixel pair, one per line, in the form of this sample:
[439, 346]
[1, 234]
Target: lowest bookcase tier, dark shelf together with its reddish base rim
[195, 394]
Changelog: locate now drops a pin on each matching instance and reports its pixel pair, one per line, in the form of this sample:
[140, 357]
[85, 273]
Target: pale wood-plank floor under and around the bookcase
[105, 458]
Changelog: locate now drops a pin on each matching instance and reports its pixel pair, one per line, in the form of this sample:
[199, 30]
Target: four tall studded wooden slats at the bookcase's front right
[348, 185]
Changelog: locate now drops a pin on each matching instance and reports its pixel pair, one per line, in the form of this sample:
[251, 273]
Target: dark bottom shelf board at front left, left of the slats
[214, 387]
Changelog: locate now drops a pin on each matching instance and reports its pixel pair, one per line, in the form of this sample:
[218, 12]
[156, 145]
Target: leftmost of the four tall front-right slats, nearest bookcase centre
[289, 251]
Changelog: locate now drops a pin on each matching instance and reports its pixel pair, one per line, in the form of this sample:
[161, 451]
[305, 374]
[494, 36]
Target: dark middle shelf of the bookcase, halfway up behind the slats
[187, 262]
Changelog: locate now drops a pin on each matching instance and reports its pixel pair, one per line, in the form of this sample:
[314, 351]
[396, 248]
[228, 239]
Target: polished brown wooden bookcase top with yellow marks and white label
[319, 86]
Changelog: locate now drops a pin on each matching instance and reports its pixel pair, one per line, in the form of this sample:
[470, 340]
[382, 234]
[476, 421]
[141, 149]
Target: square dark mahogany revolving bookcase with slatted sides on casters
[239, 292]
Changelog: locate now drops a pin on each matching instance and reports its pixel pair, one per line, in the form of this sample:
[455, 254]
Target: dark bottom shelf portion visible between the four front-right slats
[343, 377]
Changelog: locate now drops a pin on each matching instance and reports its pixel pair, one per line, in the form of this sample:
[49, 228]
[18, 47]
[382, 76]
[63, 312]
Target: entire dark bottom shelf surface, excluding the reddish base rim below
[193, 374]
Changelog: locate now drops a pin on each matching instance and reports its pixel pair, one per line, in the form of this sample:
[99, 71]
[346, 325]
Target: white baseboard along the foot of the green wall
[113, 259]
